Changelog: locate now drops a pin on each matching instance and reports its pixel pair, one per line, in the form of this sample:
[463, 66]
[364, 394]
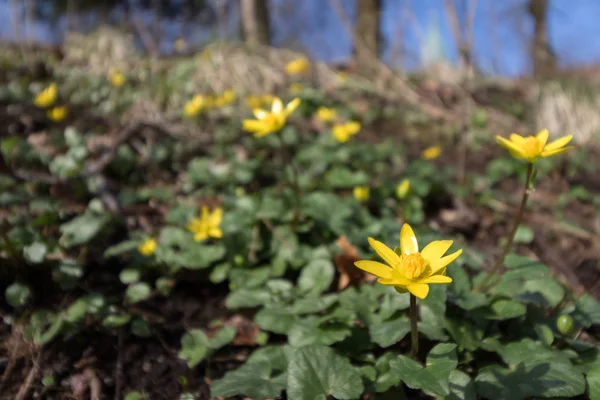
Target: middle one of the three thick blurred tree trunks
[367, 37]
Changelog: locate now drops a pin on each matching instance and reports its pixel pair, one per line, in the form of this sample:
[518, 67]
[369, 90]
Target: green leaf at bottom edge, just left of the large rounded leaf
[256, 380]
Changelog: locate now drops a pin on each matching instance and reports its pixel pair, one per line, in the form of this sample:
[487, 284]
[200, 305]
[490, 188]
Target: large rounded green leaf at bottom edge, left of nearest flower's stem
[316, 372]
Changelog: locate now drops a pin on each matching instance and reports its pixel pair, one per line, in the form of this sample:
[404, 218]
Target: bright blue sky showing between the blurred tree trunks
[500, 31]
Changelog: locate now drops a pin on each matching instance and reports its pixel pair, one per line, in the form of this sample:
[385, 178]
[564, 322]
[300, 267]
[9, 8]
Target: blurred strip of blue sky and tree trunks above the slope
[509, 38]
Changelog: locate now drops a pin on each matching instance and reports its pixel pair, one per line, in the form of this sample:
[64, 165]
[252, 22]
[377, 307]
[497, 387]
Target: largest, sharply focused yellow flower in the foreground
[408, 269]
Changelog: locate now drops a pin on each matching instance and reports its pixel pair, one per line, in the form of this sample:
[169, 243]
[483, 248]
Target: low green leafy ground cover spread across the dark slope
[313, 326]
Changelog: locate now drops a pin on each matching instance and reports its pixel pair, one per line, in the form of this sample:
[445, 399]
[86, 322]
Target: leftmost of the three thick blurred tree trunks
[254, 19]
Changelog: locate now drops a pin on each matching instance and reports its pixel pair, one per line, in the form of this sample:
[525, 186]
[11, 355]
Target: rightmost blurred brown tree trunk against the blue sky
[544, 59]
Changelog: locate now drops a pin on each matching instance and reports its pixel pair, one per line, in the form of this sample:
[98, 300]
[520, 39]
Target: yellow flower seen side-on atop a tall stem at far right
[533, 147]
